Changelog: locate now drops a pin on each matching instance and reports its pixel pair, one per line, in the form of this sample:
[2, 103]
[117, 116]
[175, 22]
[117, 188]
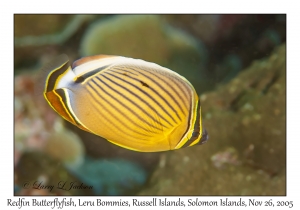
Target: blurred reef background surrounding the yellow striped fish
[237, 64]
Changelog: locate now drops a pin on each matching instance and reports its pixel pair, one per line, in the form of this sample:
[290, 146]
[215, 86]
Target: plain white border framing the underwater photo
[8, 8]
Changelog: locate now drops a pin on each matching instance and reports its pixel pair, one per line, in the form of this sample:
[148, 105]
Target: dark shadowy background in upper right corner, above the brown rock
[233, 41]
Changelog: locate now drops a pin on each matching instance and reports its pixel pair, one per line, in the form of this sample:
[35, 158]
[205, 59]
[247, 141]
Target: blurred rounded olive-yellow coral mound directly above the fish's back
[150, 38]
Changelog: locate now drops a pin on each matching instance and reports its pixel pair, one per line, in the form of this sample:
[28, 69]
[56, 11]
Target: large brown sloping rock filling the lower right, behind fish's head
[246, 123]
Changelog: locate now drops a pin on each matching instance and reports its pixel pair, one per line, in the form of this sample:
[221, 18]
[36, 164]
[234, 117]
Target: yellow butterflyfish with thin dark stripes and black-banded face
[132, 103]
